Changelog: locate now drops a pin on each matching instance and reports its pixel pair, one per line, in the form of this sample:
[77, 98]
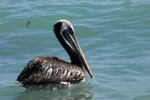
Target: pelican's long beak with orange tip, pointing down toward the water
[72, 41]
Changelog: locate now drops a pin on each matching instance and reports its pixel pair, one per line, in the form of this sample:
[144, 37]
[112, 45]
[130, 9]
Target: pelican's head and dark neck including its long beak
[64, 32]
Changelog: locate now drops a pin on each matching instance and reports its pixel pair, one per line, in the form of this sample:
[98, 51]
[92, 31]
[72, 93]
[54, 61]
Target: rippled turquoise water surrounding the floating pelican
[113, 34]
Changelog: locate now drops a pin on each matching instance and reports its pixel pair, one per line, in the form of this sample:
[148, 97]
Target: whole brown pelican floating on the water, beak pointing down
[48, 71]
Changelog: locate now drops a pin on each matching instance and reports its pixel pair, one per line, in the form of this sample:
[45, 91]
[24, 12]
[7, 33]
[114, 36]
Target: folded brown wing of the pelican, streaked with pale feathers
[47, 69]
